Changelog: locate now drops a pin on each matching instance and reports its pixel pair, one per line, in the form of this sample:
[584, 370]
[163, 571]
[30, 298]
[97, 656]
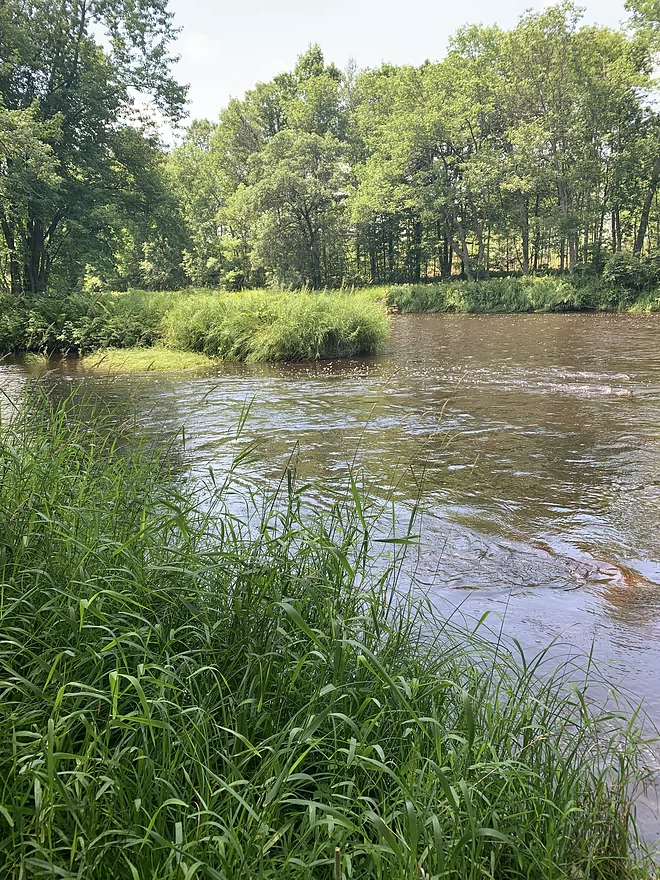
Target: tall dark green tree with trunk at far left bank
[51, 62]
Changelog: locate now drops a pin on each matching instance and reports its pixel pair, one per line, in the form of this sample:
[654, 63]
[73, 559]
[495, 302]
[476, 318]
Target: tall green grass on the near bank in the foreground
[187, 694]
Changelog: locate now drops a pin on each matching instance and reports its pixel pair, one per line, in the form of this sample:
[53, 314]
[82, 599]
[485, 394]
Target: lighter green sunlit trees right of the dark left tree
[523, 151]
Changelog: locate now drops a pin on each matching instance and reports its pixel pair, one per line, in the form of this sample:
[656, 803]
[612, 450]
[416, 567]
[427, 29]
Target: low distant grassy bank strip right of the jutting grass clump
[531, 294]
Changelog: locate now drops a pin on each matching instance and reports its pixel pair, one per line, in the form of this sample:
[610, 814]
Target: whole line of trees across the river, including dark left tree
[527, 151]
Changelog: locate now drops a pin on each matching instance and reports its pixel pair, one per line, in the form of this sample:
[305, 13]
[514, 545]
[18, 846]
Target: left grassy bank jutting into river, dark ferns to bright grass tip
[250, 325]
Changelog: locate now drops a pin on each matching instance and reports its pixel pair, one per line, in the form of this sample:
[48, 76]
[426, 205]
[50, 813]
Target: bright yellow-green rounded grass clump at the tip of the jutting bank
[278, 326]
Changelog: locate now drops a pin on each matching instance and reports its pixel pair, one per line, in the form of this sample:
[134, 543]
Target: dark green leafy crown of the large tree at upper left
[87, 172]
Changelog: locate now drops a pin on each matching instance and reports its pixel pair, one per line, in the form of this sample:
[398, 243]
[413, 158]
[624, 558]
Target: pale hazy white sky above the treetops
[226, 47]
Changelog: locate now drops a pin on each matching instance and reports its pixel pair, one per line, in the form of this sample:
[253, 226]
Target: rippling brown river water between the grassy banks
[535, 440]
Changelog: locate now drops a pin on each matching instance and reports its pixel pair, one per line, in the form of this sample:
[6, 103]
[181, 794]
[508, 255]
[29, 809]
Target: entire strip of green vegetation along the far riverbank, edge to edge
[261, 326]
